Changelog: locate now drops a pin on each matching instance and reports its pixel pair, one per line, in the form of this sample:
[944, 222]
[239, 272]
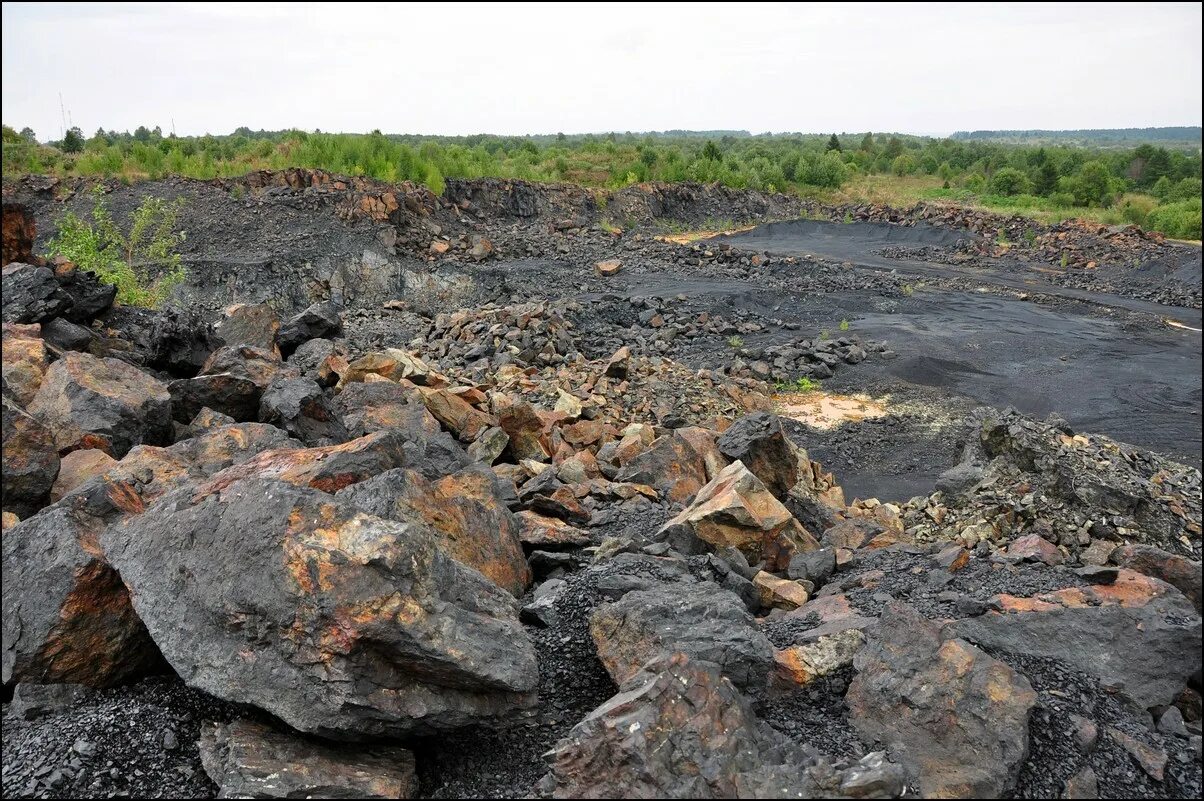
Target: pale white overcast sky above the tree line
[574, 68]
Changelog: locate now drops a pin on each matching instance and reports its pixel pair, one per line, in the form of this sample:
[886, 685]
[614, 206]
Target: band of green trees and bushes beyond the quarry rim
[1153, 185]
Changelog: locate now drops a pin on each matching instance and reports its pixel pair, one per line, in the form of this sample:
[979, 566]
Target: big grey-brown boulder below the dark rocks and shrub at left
[108, 404]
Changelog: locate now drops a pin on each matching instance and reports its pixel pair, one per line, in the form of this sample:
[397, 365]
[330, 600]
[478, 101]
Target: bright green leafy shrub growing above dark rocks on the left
[144, 264]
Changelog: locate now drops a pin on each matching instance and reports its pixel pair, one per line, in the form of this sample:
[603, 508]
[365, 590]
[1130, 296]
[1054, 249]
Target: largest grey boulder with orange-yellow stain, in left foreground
[337, 622]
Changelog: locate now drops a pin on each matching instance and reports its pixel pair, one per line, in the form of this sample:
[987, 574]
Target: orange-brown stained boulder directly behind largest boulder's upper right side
[465, 509]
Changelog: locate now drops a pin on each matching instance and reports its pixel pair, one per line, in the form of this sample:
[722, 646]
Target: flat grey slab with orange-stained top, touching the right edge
[1140, 635]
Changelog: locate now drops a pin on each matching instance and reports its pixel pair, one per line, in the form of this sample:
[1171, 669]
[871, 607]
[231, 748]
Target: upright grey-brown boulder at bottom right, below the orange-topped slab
[958, 717]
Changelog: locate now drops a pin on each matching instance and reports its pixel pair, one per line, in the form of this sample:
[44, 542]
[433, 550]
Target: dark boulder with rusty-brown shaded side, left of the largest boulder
[67, 614]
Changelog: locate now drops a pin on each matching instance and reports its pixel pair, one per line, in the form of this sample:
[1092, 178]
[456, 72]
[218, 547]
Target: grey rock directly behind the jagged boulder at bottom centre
[698, 619]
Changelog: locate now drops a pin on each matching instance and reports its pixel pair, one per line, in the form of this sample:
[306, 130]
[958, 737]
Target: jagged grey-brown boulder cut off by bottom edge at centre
[681, 731]
